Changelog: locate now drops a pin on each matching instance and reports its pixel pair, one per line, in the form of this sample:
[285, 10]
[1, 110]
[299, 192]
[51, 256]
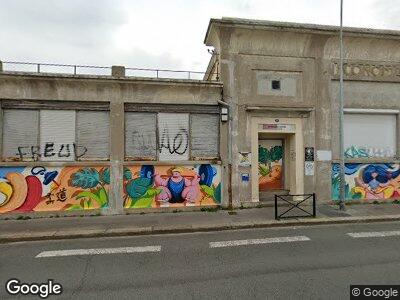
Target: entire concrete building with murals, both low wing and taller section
[263, 121]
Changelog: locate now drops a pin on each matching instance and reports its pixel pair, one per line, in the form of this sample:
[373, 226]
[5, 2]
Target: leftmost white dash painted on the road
[98, 251]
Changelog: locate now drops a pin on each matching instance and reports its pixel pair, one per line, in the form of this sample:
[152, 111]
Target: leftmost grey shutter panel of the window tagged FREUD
[20, 130]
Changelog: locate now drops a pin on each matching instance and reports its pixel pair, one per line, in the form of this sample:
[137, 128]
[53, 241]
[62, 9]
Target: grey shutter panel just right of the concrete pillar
[140, 136]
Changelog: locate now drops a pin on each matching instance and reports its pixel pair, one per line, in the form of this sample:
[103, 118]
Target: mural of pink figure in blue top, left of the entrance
[172, 186]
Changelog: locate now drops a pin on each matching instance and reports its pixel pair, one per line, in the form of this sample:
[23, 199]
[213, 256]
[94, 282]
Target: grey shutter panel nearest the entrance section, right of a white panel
[204, 135]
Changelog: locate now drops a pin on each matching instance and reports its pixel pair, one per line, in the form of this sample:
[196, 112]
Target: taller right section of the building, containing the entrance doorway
[281, 81]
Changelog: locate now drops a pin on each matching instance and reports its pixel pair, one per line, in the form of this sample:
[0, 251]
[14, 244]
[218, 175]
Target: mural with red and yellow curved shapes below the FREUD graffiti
[27, 189]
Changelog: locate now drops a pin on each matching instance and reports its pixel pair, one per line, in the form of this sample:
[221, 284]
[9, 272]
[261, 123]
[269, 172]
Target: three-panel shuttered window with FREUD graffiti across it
[55, 135]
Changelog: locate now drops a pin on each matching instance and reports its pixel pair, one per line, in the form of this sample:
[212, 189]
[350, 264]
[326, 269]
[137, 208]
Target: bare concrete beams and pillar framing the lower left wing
[117, 91]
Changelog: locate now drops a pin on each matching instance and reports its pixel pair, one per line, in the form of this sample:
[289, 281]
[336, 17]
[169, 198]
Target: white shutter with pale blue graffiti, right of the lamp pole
[369, 135]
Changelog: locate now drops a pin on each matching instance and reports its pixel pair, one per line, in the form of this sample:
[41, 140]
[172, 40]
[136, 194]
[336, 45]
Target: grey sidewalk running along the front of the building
[157, 223]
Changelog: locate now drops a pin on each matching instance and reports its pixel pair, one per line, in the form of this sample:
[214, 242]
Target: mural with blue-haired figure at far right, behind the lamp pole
[367, 181]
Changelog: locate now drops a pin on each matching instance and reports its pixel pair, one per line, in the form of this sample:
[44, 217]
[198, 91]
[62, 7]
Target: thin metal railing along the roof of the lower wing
[102, 70]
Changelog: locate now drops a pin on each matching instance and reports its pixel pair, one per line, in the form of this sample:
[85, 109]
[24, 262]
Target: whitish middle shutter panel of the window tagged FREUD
[57, 135]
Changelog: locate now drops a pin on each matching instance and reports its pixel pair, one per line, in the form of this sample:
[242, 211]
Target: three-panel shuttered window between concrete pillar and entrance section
[171, 136]
